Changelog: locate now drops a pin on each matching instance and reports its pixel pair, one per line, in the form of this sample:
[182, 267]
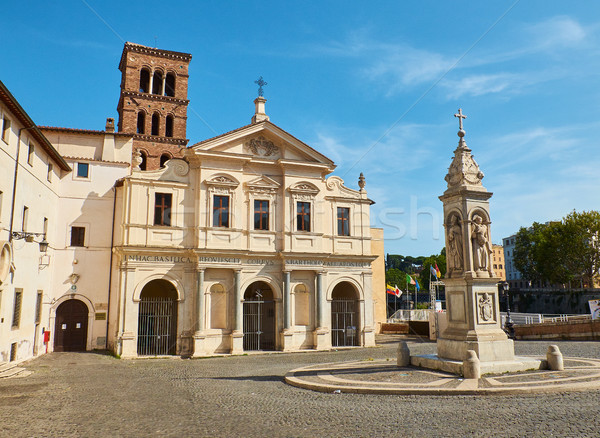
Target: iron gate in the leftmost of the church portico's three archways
[157, 324]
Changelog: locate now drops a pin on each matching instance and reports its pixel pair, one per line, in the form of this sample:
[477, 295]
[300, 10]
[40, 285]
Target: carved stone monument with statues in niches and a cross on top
[473, 311]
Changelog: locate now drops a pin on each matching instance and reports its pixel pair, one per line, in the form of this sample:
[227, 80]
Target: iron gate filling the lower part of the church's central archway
[259, 329]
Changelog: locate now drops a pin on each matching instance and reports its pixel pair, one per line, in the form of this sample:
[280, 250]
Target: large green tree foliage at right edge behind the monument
[560, 252]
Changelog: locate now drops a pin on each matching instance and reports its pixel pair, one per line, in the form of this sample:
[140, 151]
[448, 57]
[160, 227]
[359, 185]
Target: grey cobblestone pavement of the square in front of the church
[87, 394]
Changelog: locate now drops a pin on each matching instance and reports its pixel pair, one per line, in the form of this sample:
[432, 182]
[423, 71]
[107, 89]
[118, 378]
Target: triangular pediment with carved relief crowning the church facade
[261, 141]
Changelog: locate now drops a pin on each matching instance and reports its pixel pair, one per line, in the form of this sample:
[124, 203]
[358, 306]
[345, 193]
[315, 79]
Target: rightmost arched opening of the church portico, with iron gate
[345, 324]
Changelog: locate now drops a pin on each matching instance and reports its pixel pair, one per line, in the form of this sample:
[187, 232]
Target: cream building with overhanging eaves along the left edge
[31, 171]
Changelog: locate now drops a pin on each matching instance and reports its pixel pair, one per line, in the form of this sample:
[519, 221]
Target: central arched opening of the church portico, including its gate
[259, 317]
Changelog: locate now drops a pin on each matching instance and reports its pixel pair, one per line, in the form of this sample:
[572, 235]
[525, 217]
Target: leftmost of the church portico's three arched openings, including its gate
[157, 320]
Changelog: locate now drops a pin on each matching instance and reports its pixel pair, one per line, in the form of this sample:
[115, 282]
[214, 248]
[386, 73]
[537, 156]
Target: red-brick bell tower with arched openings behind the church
[153, 102]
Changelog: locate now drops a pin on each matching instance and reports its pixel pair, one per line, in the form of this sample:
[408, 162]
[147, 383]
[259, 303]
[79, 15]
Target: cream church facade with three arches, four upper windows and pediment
[244, 244]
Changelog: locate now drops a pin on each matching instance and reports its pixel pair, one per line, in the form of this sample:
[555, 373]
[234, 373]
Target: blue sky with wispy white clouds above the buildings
[373, 85]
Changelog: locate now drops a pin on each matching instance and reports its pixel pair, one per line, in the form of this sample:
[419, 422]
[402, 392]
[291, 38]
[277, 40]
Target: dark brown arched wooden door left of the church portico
[70, 329]
